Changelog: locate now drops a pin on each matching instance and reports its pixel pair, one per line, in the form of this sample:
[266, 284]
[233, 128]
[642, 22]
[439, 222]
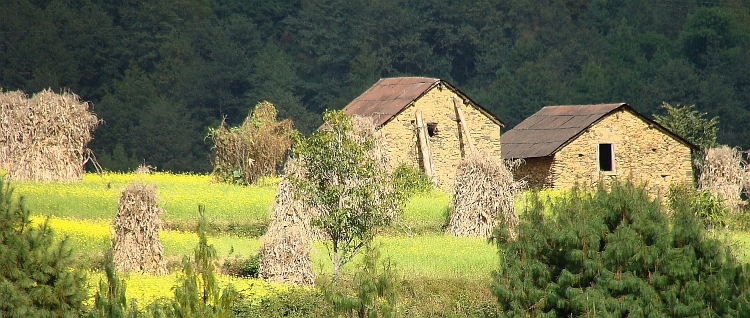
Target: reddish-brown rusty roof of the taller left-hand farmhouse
[389, 96]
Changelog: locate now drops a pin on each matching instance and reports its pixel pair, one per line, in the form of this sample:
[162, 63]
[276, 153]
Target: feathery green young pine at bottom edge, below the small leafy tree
[375, 289]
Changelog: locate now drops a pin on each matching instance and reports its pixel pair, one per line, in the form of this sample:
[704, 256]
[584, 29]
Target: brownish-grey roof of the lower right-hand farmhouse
[553, 127]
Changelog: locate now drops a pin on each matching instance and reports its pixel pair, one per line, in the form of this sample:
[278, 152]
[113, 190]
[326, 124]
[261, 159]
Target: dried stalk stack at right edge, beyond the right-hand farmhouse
[723, 173]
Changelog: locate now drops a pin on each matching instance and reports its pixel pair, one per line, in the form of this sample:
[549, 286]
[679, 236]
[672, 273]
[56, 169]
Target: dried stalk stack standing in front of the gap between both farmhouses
[483, 197]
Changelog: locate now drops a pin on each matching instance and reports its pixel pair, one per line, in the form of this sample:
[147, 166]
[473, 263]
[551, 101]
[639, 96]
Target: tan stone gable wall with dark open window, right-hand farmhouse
[646, 154]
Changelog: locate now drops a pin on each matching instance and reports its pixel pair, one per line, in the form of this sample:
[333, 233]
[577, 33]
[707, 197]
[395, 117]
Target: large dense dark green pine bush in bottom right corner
[614, 252]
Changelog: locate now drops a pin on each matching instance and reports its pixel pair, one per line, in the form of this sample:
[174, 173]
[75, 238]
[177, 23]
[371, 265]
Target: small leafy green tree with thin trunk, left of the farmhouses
[345, 182]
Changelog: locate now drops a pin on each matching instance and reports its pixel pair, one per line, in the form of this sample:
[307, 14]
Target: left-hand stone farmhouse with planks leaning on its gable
[423, 123]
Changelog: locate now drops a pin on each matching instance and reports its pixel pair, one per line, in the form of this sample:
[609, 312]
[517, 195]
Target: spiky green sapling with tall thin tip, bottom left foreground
[199, 295]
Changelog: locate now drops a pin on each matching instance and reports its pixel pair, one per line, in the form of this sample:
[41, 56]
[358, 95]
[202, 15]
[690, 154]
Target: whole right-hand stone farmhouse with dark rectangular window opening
[586, 144]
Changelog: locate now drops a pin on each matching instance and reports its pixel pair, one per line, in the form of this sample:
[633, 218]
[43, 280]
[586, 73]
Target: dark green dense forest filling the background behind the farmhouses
[159, 73]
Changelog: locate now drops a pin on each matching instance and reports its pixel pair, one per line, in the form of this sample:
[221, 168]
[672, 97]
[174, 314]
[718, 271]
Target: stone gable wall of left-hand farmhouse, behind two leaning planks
[447, 149]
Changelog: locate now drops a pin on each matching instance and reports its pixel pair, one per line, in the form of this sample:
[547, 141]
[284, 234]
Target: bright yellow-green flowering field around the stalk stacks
[439, 274]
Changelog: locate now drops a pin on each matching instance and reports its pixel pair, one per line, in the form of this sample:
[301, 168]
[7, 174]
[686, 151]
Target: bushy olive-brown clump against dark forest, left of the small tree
[244, 154]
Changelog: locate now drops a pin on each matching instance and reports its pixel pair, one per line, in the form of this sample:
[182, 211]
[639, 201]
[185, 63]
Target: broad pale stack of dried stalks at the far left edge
[44, 138]
